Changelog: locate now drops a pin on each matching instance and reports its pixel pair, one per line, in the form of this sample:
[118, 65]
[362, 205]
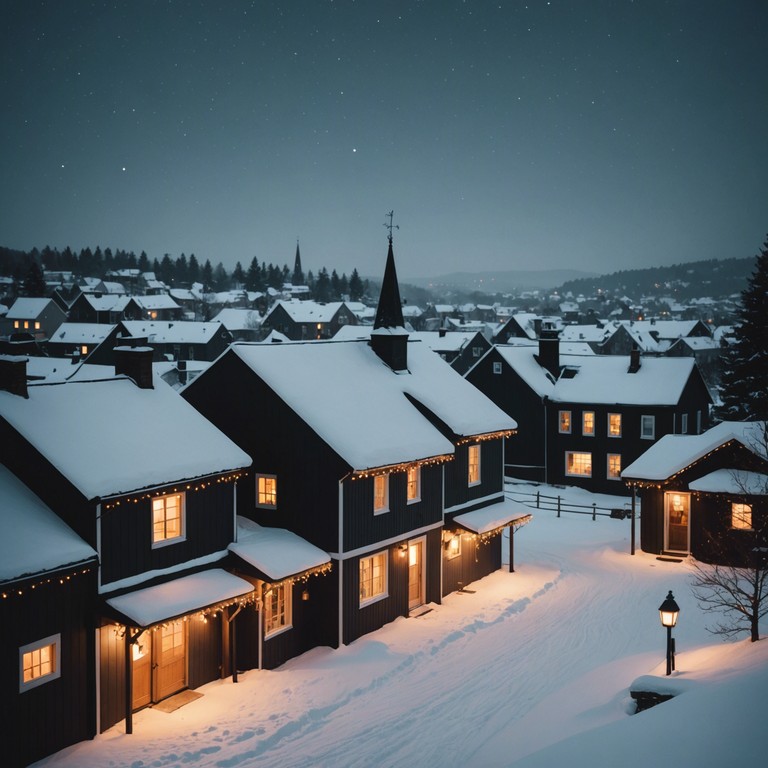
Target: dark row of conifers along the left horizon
[180, 272]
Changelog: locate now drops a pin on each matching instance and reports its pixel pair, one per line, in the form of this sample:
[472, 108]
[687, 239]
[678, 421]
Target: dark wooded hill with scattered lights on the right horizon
[715, 278]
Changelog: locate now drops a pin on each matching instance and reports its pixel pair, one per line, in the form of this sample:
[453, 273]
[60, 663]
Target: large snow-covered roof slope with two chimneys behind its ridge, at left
[110, 437]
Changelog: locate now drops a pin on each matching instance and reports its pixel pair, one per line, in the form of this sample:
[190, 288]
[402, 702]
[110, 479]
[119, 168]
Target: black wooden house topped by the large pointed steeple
[350, 441]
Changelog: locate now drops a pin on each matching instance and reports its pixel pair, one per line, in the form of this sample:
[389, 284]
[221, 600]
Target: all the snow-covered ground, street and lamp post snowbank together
[533, 669]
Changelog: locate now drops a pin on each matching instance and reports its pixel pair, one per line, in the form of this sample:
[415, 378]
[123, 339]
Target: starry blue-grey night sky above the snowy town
[578, 134]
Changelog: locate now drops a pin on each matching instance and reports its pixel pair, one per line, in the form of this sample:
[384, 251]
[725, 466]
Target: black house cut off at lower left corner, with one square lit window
[47, 586]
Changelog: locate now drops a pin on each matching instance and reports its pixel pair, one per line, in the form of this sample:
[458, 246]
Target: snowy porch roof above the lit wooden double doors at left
[152, 605]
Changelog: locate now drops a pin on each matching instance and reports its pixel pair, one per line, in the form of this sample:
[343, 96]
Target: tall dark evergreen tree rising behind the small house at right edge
[744, 390]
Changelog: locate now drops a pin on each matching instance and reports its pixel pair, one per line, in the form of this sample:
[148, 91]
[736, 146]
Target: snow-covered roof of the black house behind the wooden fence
[602, 378]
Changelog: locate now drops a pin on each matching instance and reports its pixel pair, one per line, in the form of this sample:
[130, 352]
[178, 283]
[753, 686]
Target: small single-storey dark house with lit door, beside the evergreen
[705, 495]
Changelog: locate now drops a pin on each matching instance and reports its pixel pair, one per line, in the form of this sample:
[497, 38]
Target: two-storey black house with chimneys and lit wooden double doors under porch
[145, 481]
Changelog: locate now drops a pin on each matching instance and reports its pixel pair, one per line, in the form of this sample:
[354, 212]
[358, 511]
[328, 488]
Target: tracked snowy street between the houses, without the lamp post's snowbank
[482, 680]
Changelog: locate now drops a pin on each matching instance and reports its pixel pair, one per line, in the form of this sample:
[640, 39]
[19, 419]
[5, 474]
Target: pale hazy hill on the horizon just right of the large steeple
[512, 281]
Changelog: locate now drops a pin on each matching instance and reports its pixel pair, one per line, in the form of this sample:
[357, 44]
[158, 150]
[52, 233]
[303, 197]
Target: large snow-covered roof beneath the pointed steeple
[358, 405]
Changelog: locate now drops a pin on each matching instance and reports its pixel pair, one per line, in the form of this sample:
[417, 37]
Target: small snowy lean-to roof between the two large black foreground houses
[278, 553]
